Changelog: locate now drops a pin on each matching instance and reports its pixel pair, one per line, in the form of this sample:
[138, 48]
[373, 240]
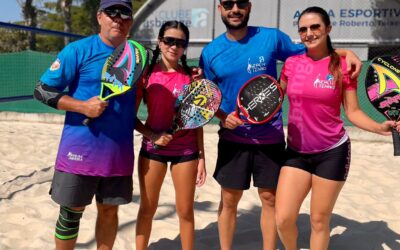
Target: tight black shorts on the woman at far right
[333, 164]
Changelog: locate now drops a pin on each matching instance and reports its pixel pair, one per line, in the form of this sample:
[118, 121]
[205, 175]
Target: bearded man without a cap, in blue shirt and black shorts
[247, 151]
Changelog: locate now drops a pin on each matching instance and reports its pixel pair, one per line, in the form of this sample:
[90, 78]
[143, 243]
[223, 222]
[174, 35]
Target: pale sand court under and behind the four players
[366, 216]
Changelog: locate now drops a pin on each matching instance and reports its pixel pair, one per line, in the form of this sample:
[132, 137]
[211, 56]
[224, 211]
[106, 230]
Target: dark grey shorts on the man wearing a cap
[72, 190]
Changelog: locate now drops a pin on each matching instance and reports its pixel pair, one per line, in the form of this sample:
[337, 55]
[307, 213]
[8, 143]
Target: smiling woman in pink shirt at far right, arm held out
[318, 150]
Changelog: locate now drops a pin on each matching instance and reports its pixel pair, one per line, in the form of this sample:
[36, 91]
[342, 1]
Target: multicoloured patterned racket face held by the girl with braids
[200, 100]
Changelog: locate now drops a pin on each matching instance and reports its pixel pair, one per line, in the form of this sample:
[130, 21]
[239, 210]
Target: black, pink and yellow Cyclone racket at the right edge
[383, 90]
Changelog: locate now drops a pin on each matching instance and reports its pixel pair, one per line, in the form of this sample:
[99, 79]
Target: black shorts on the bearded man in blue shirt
[237, 162]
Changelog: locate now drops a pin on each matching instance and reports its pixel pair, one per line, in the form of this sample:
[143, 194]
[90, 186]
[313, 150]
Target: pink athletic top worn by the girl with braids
[162, 90]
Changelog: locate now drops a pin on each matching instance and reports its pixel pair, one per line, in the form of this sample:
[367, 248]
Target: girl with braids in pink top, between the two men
[184, 149]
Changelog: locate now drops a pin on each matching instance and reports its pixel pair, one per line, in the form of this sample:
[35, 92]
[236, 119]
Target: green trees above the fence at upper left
[71, 16]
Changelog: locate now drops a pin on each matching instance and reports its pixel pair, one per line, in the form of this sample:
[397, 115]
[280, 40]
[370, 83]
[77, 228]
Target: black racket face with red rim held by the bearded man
[259, 99]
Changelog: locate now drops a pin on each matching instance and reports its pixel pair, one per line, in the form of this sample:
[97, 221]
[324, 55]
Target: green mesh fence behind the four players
[21, 70]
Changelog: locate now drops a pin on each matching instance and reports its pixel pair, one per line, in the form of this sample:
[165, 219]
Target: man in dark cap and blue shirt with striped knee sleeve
[95, 160]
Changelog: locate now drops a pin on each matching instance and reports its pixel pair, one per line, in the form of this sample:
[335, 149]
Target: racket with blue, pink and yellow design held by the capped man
[122, 69]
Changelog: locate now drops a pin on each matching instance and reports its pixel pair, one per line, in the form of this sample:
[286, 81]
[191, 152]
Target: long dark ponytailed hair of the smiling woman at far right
[334, 66]
